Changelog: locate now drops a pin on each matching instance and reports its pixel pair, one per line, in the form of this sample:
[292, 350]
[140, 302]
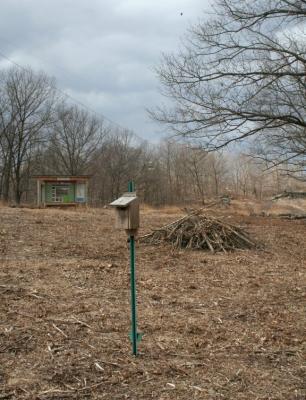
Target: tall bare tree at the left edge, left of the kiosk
[25, 112]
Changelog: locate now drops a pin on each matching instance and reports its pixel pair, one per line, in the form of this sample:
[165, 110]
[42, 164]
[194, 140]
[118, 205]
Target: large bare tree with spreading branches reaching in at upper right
[242, 74]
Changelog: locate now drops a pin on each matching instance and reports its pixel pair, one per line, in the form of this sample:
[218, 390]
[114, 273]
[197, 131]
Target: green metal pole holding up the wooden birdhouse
[133, 287]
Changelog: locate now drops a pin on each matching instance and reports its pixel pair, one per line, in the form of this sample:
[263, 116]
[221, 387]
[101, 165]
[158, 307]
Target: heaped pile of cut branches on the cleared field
[203, 232]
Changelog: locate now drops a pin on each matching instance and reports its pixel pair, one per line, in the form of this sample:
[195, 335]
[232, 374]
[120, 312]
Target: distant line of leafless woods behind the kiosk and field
[40, 133]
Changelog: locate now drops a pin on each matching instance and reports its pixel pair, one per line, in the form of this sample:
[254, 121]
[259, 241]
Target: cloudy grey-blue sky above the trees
[102, 52]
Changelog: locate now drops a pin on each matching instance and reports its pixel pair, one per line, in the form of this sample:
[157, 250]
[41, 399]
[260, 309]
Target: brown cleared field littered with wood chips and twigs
[216, 326]
